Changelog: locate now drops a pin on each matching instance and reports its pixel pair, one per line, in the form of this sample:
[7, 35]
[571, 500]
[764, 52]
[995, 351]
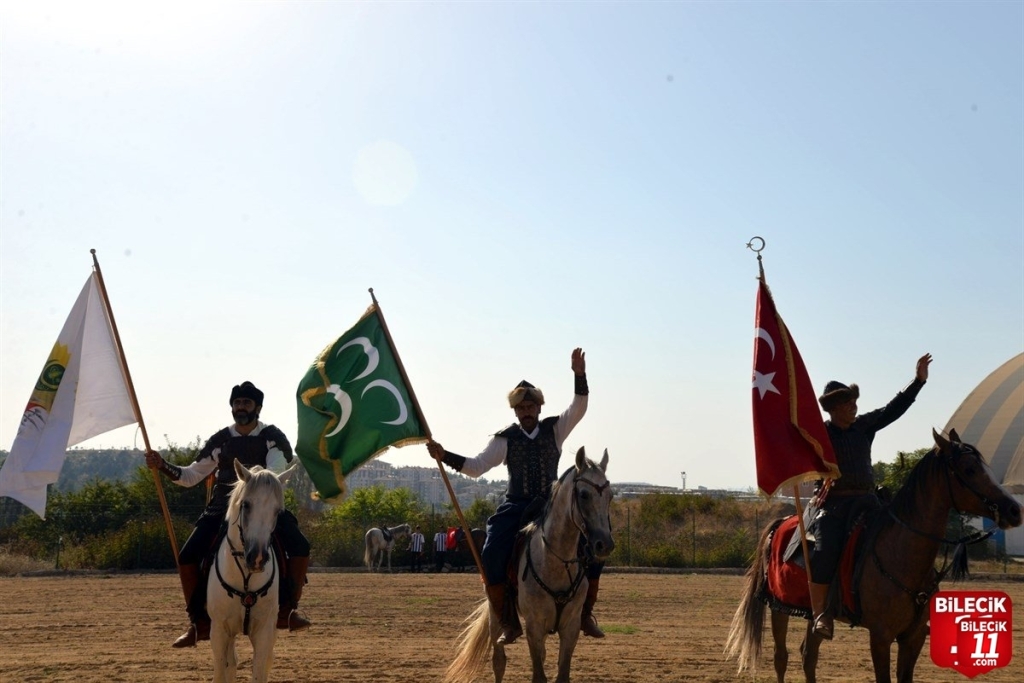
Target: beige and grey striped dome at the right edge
[993, 419]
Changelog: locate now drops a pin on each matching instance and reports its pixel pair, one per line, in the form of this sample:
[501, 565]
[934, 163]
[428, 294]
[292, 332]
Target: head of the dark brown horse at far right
[971, 487]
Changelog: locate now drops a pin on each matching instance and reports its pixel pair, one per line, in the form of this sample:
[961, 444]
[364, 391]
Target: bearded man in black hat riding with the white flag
[251, 443]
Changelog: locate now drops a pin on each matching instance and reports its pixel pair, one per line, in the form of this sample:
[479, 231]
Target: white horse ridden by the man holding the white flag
[242, 594]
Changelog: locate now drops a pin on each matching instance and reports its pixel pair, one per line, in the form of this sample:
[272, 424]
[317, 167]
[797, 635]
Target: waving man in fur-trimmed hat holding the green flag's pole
[531, 451]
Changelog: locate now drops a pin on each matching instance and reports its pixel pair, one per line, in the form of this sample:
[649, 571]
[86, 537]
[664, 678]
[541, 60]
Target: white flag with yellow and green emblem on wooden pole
[80, 394]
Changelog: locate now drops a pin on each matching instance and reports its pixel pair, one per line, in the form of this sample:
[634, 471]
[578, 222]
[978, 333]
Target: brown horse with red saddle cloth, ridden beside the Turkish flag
[899, 576]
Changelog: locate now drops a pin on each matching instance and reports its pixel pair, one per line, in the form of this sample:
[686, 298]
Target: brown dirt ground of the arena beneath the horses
[401, 628]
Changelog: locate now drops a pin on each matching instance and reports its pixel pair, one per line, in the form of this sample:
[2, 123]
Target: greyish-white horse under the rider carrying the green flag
[553, 577]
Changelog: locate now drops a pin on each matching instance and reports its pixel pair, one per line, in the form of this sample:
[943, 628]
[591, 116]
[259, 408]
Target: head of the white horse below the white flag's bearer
[252, 511]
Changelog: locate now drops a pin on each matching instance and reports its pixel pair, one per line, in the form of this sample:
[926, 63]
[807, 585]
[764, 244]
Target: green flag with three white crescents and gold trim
[354, 405]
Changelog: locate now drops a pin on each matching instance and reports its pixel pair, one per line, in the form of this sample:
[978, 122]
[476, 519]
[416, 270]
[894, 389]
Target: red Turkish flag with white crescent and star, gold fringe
[791, 444]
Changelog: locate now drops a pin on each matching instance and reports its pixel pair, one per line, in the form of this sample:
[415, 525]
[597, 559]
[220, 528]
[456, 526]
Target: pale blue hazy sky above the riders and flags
[516, 181]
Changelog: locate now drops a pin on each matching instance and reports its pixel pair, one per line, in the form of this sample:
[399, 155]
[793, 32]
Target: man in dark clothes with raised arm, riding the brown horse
[839, 500]
